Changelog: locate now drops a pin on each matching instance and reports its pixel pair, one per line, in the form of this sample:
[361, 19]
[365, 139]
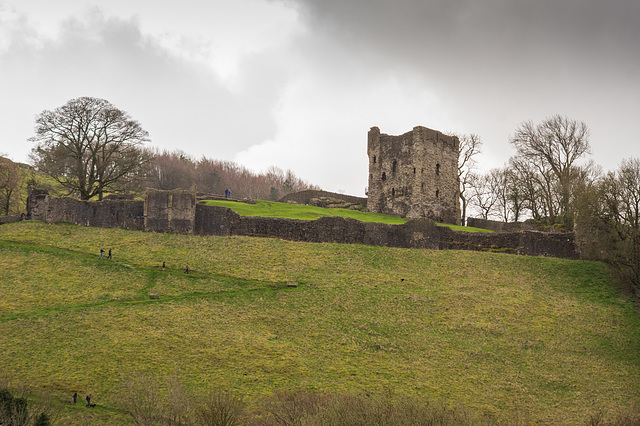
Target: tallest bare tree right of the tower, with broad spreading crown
[554, 147]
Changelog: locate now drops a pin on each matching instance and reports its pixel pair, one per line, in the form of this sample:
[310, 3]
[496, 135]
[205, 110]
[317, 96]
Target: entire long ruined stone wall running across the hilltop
[168, 211]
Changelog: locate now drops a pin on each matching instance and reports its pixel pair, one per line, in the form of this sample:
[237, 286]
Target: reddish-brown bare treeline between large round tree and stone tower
[176, 169]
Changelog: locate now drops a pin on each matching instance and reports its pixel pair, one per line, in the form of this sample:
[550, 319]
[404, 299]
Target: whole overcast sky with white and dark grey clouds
[298, 83]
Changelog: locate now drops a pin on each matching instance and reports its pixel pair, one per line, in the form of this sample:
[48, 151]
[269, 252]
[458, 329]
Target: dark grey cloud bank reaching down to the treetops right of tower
[495, 63]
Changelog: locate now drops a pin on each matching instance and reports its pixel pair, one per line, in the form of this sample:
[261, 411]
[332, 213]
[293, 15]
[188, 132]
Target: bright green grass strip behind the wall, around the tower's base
[304, 212]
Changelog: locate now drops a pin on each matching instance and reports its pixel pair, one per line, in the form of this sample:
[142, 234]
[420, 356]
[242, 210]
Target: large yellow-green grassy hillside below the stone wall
[523, 338]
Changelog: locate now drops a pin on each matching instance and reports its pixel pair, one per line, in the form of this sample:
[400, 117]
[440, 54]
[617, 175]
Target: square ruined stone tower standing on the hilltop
[414, 174]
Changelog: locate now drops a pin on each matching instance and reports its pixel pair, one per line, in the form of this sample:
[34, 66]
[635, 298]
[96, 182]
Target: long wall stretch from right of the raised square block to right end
[416, 233]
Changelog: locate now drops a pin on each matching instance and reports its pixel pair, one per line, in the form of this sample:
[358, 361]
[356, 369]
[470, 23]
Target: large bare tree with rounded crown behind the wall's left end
[89, 146]
